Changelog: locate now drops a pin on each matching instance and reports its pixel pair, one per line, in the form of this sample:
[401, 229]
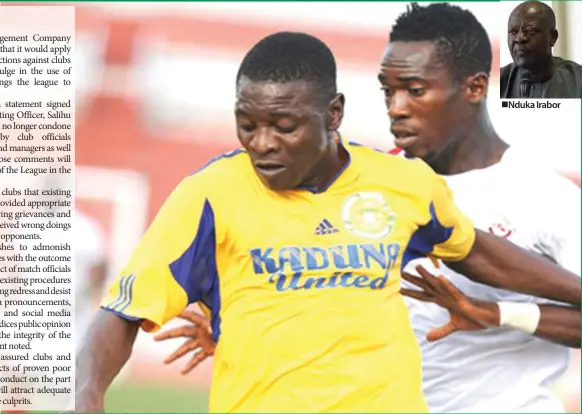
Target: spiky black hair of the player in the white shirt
[462, 42]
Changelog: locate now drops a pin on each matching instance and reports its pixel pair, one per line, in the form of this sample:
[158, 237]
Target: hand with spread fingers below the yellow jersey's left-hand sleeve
[200, 341]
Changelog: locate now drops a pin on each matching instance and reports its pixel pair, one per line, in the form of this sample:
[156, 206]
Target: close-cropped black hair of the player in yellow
[288, 57]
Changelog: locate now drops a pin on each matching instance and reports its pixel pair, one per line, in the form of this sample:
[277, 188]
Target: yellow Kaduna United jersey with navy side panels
[303, 287]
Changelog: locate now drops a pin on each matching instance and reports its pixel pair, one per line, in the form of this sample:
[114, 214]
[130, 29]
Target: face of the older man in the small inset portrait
[529, 38]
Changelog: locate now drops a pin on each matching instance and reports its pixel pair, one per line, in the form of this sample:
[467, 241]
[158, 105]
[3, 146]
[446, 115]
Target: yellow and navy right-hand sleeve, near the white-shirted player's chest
[448, 234]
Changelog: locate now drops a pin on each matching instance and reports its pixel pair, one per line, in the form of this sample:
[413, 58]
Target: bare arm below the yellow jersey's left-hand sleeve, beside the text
[106, 348]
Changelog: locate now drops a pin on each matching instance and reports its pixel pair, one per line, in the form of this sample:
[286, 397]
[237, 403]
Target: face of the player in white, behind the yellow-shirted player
[426, 108]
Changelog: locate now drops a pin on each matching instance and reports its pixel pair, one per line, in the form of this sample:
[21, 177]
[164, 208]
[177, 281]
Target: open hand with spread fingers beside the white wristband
[466, 314]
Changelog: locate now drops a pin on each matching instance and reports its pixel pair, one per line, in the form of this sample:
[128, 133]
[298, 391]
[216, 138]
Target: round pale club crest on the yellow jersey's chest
[367, 215]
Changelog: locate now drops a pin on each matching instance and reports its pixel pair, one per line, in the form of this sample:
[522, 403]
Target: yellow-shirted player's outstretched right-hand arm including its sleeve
[450, 236]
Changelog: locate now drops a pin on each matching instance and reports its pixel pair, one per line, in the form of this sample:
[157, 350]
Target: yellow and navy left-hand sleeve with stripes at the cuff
[174, 263]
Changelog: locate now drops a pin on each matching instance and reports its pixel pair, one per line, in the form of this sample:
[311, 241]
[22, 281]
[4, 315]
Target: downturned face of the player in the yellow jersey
[285, 129]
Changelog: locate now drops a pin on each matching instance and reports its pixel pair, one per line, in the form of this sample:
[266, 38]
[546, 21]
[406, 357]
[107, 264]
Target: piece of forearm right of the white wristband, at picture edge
[559, 324]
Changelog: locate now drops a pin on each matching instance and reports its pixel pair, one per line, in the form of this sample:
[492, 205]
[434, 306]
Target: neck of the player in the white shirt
[480, 148]
